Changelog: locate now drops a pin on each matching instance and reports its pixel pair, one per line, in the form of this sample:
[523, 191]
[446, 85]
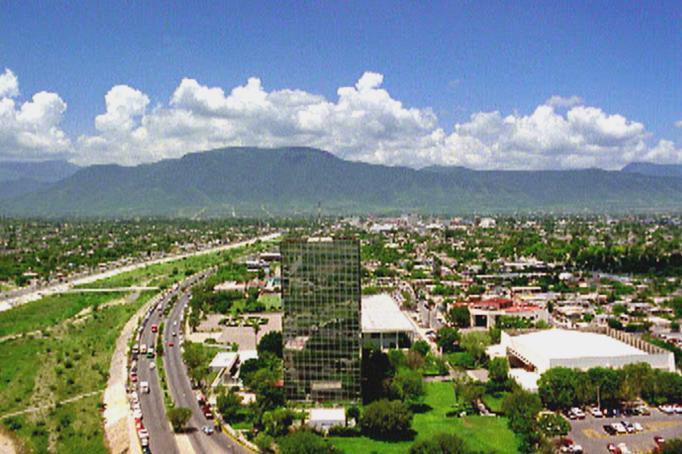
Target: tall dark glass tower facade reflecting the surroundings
[321, 324]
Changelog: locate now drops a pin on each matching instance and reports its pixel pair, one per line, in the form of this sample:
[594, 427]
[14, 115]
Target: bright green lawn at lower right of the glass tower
[479, 432]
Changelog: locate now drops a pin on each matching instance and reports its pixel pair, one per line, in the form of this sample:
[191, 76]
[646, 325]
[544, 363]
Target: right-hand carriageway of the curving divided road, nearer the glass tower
[183, 394]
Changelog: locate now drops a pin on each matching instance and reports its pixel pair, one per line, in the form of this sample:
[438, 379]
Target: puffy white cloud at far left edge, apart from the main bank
[30, 130]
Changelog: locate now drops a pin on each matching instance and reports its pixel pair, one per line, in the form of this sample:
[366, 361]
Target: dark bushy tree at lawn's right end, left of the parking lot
[521, 408]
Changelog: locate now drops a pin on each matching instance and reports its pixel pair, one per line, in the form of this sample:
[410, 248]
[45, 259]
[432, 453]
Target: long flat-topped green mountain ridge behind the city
[295, 181]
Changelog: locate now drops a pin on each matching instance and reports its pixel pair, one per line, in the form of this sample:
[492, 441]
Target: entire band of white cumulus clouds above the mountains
[364, 122]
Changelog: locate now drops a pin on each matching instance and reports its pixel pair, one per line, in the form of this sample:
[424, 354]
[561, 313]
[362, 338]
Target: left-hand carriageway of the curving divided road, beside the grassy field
[161, 436]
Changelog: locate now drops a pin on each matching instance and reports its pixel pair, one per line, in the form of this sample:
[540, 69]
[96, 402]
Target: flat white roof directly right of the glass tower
[381, 314]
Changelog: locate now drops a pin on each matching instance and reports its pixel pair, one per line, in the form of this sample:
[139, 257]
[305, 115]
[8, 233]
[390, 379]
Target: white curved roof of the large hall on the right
[561, 343]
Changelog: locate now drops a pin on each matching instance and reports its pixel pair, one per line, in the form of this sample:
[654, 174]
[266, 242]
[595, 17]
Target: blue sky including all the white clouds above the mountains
[487, 85]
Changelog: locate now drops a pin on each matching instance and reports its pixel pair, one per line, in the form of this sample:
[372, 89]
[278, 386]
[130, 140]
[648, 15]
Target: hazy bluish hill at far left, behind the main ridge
[19, 178]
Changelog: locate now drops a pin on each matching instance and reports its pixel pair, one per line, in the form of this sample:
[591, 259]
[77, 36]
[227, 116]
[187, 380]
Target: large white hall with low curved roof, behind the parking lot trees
[532, 354]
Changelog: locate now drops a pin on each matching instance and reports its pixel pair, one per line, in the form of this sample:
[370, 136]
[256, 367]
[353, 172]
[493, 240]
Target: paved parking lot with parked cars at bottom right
[590, 434]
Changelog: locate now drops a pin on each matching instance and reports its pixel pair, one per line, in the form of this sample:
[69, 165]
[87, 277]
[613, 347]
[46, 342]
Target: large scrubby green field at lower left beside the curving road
[73, 360]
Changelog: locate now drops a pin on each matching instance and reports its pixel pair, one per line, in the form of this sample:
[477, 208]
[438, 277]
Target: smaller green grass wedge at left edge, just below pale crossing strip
[48, 311]
